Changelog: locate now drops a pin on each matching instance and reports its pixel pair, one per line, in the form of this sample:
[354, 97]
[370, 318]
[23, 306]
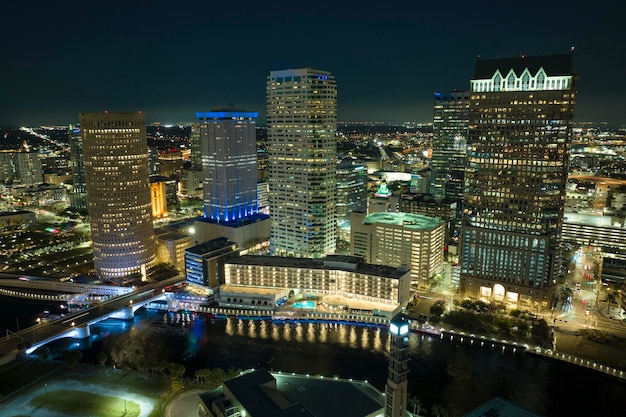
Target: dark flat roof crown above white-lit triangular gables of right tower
[553, 65]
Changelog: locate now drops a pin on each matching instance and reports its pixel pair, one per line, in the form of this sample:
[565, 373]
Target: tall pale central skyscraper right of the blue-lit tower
[301, 126]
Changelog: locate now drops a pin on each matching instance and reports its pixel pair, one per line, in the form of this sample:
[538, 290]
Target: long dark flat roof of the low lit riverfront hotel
[331, 262]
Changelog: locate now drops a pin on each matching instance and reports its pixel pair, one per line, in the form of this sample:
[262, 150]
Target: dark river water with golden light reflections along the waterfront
[460, 377]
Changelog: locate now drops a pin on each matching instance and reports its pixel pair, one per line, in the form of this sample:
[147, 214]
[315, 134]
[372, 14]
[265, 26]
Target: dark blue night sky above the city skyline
[173, 58]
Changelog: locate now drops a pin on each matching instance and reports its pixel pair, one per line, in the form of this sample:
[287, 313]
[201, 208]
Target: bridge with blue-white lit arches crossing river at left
[76, 325]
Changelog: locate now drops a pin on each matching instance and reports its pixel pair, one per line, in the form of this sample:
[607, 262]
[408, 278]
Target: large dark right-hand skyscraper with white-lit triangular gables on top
[521, 118]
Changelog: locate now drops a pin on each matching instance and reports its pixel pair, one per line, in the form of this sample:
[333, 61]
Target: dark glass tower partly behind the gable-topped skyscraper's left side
[450, 123]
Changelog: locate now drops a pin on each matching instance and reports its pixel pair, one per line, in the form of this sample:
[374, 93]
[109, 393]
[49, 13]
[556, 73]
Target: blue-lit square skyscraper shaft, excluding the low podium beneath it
[229, 173]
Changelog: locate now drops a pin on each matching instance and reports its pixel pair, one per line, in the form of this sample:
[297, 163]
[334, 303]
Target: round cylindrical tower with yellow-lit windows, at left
[115, 155]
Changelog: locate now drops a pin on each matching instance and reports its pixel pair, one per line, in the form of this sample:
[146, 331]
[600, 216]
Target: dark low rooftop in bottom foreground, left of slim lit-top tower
[262, 393]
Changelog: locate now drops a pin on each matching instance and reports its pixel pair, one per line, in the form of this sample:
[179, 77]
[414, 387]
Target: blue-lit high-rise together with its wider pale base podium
[229, 178]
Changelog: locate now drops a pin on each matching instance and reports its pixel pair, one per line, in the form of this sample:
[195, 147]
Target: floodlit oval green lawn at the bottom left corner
[81, 403]
